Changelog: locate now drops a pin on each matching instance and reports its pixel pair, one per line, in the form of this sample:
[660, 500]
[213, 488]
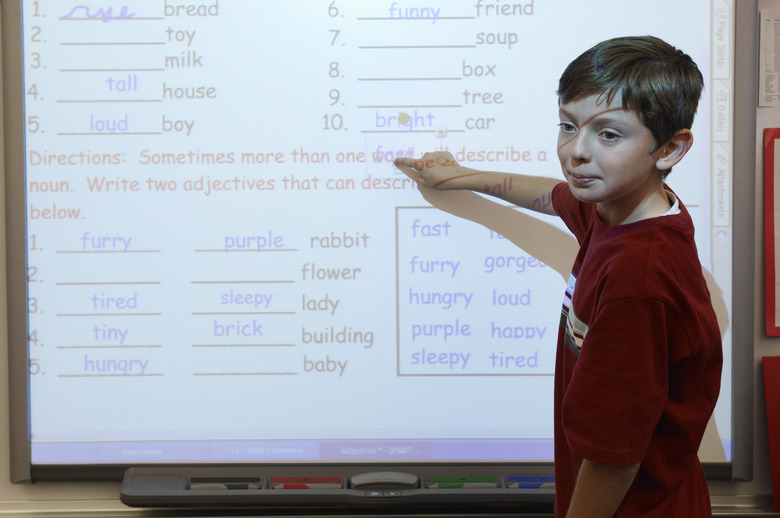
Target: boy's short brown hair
[659, 82]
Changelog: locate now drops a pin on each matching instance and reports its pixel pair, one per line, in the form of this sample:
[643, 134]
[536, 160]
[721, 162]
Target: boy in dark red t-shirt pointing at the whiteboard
[639, 355]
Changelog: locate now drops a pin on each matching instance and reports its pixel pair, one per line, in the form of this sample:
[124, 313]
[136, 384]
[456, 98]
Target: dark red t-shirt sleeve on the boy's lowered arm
[619, 385]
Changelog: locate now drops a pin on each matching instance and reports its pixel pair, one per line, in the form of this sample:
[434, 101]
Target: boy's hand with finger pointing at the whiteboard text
[437, 170]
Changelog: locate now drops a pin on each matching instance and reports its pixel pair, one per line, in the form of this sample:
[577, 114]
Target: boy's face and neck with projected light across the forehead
[607, 157]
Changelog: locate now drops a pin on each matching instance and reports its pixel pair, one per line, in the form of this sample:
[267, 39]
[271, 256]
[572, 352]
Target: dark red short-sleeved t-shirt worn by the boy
[639, 360]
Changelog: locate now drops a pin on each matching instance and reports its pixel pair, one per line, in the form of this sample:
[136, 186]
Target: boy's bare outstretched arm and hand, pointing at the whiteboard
[441, 171]
